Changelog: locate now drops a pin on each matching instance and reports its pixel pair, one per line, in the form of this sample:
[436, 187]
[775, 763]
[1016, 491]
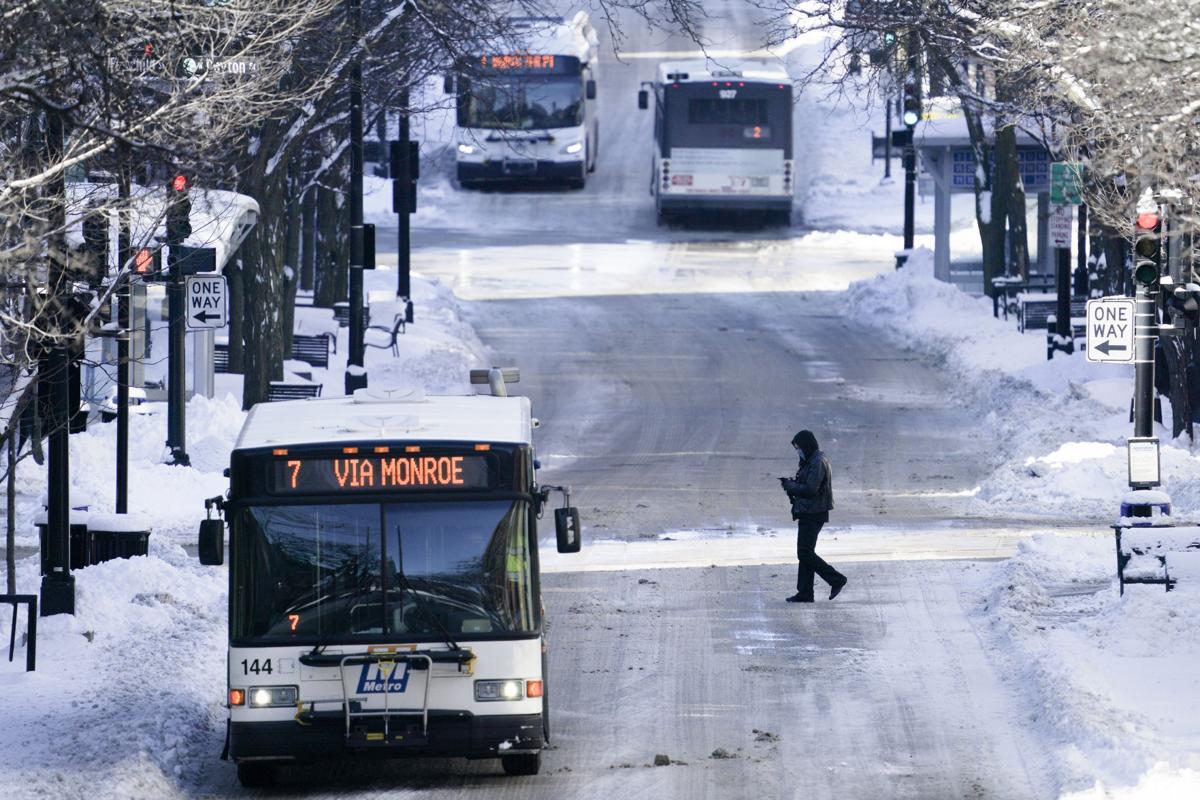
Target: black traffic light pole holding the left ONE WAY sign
[179, 228]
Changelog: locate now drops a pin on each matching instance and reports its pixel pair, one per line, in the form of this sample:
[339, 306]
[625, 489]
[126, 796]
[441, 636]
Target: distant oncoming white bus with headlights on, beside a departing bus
[531, 113]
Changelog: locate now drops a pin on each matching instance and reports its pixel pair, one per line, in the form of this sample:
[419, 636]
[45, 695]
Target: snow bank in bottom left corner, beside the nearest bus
[127, 701]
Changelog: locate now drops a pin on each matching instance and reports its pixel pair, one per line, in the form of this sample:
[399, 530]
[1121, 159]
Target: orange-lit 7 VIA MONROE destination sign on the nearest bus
[379, 473]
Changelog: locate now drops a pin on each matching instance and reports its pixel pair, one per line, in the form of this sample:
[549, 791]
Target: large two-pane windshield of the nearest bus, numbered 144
[406, 572]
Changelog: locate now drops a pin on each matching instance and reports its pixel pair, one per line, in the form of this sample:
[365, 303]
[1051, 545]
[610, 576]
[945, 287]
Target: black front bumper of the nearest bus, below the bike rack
[451, 735]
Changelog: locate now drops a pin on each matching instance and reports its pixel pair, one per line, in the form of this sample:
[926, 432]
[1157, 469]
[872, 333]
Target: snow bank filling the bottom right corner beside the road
[1107, 679]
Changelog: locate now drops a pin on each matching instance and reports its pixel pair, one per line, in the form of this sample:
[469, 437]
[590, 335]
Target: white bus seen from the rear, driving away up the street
[723, 139]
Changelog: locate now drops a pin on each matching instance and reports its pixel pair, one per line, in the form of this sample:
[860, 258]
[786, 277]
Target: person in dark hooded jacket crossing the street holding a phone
[812, 496]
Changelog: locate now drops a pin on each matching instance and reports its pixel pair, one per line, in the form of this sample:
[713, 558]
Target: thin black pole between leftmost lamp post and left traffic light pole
[124, 324]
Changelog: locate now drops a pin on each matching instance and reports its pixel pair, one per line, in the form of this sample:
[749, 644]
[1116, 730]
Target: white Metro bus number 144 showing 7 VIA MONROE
[385, 591]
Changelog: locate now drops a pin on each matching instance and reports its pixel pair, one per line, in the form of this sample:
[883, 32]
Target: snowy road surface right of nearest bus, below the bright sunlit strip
[886, 693]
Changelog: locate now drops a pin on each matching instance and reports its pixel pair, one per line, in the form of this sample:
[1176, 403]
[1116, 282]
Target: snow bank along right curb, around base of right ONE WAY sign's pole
[1060, 426]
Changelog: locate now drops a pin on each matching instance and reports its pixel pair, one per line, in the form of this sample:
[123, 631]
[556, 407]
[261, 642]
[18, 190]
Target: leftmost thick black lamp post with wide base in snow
[58, 584]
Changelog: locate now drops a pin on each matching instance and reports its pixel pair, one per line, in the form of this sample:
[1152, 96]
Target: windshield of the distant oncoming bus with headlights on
[523, 103]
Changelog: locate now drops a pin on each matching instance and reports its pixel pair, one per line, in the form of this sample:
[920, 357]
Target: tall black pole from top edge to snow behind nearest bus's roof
[356, 375]
